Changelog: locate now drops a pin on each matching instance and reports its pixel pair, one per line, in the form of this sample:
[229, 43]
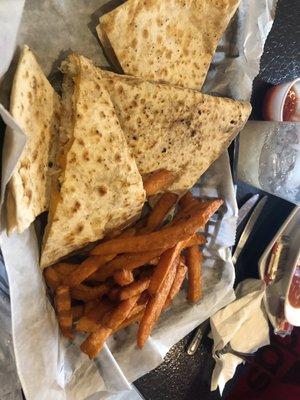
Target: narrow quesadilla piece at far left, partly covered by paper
[35, 106]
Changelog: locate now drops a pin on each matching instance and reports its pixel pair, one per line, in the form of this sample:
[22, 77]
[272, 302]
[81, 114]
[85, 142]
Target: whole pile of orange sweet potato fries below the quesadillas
[134, 274]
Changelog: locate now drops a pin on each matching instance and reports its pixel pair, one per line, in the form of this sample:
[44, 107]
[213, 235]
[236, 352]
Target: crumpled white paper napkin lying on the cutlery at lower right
[244, 324]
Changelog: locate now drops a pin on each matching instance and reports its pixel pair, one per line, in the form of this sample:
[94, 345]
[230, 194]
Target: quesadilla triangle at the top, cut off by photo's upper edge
[166, 40]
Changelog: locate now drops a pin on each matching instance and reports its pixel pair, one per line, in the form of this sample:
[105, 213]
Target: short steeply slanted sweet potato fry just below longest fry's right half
[165, 264]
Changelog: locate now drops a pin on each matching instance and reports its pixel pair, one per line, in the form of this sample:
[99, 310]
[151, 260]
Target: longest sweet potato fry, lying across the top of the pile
[164, 238]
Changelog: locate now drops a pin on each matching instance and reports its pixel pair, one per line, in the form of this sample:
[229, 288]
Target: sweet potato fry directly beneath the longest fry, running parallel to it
[129, 261]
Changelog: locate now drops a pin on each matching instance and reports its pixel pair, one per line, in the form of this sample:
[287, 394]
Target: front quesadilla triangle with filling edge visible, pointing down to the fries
[99, 187]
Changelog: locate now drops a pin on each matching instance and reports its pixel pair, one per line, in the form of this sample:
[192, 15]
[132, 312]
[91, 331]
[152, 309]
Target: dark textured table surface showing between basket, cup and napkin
[183, 377]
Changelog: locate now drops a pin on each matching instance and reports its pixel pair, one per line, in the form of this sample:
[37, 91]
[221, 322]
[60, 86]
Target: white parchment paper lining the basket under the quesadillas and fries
[50, 368]
